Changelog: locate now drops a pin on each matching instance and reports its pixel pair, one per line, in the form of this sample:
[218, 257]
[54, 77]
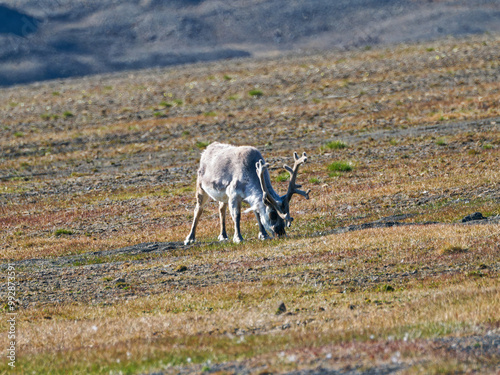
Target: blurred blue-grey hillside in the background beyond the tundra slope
[42, 40]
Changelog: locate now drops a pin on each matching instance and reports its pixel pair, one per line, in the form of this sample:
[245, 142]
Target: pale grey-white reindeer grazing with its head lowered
[231, 175]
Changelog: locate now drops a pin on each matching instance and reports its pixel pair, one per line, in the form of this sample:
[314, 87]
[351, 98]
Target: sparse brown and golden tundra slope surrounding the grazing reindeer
[377, 271]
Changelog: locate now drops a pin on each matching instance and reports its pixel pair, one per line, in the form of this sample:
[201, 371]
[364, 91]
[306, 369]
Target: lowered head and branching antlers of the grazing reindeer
[277, 215]
